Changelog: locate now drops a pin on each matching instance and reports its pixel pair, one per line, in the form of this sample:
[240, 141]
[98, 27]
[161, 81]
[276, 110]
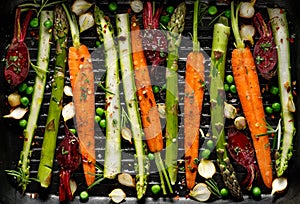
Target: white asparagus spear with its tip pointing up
[112, 161]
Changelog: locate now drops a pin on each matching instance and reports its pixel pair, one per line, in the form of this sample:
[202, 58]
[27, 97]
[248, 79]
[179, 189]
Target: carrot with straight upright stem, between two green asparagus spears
[193, 100]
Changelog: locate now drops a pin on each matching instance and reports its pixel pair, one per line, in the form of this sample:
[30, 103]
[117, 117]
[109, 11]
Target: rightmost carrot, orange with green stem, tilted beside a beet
[248, 88]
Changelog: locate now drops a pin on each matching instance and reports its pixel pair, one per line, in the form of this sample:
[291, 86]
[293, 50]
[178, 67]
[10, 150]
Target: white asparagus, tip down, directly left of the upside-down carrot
[142, 163]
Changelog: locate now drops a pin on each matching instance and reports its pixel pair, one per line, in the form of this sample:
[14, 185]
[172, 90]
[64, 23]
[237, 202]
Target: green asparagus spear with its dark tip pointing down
[217, 98]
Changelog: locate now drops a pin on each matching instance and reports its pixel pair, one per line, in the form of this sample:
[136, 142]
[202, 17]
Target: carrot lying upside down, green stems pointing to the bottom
[147, 104]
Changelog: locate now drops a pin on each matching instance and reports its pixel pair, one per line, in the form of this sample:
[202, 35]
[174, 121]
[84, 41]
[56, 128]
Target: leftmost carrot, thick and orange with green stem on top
[82, 82]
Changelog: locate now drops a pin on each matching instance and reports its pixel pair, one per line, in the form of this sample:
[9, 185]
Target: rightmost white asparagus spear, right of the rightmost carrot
[280, 29]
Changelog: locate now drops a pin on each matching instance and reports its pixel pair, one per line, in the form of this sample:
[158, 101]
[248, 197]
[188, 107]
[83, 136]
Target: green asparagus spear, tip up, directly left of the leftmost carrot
[60, 33]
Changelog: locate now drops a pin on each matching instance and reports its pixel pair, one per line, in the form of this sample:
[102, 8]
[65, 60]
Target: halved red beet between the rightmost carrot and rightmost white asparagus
[265, 52]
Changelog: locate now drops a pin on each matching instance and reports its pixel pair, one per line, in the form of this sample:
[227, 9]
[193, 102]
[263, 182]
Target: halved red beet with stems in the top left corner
[17, 56]
